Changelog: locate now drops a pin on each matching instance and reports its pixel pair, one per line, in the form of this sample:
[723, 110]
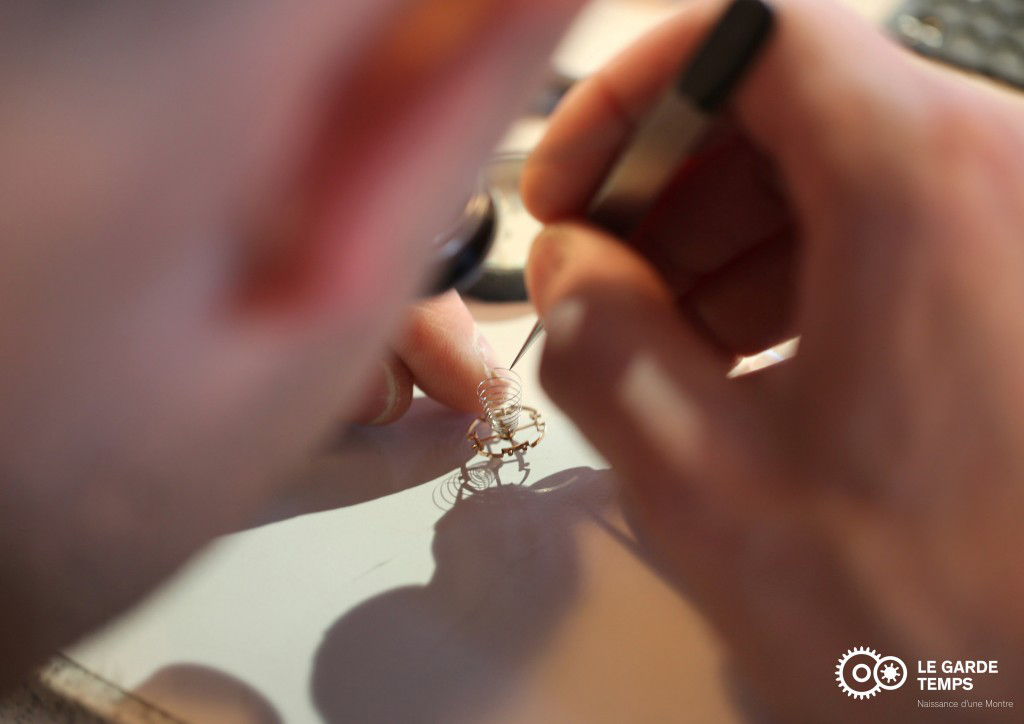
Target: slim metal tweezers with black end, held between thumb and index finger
[677, 123]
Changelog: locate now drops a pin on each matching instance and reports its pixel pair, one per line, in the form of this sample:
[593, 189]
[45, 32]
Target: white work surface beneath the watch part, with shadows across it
[399, 603]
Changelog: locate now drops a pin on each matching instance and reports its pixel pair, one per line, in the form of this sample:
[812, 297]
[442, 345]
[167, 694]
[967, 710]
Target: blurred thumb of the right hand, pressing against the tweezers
[642, 386]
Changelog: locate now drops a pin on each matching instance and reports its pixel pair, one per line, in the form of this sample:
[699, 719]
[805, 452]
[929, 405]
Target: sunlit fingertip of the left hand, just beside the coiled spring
[446, 353]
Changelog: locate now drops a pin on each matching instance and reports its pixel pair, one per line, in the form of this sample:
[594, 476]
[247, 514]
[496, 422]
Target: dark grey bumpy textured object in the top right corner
[983, 36]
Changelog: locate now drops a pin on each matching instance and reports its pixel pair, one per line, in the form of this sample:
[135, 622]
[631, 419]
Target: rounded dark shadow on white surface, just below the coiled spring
[507, 573]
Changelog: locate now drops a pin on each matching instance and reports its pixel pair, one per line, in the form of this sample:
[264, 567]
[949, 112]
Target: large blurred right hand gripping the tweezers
[870, 492]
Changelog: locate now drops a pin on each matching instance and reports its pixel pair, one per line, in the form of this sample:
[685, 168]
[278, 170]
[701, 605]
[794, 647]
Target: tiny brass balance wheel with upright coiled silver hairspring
[501, 398]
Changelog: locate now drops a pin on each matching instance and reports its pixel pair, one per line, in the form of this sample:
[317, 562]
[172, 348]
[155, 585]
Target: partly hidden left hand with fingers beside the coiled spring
[442, 351]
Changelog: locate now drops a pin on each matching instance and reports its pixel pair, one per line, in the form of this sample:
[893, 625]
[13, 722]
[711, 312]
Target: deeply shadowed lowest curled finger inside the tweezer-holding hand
[749, 307]
